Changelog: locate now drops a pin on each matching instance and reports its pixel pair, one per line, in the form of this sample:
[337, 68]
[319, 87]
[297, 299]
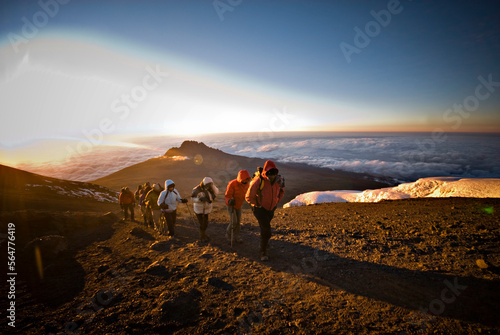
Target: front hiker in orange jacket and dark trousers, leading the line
[264, 194]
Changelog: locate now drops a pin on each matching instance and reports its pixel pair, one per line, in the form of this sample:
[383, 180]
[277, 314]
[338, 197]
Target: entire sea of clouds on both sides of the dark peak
[403, 157]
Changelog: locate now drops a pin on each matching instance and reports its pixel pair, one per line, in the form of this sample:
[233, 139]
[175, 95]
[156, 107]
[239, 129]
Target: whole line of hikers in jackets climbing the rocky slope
[263, 192]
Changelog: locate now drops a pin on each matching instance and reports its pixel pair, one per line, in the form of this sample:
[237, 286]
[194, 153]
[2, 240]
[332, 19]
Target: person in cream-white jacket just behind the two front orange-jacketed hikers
[203, 195]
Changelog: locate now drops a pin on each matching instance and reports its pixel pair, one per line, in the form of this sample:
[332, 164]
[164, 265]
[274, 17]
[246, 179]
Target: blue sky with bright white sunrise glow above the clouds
[98, 71]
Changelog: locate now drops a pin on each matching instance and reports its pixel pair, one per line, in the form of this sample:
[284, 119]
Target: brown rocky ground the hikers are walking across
[420, 266]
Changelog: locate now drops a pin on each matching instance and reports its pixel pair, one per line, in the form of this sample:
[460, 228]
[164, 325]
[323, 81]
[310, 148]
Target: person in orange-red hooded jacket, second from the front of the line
[235, 196]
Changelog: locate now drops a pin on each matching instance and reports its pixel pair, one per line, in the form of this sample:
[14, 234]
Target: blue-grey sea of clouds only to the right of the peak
[404, 157]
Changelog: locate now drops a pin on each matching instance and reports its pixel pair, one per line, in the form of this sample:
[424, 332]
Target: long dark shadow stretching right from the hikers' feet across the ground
[464, 298]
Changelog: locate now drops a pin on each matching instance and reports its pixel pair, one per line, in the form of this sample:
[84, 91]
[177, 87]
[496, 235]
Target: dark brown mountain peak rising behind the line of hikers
[192, 161]
